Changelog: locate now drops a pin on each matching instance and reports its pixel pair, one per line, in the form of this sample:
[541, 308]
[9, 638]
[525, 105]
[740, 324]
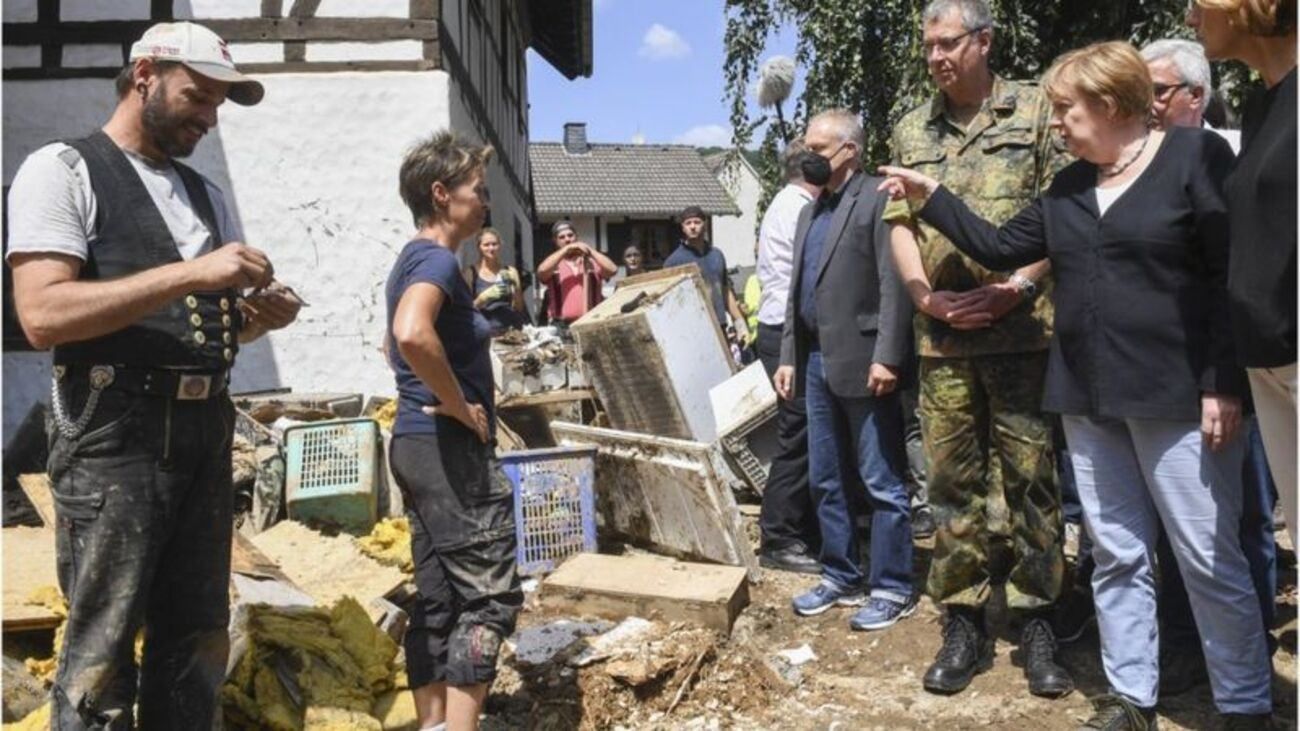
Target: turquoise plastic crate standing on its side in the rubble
[332, 474]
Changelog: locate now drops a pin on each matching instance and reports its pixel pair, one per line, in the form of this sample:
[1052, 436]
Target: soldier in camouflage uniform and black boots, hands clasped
[983, 338]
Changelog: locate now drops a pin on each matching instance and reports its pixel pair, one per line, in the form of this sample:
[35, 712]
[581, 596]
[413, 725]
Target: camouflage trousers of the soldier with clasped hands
[982, 427]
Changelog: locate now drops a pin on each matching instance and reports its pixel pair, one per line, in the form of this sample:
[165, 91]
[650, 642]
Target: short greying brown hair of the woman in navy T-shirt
[444, 158]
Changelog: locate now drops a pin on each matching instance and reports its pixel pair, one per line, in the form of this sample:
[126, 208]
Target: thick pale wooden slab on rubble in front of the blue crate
[617, 587]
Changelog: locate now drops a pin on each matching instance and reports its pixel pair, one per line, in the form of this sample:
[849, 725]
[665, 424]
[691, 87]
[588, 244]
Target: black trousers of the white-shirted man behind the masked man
[788, 517]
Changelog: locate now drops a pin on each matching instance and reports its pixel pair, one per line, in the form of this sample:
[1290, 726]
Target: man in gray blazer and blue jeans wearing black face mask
[846, 348]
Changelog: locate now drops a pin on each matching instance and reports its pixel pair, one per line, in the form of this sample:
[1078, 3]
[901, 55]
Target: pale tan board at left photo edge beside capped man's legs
[29, 565]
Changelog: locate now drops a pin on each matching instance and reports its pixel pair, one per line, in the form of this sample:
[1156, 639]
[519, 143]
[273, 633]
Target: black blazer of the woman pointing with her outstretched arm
[1142, 312]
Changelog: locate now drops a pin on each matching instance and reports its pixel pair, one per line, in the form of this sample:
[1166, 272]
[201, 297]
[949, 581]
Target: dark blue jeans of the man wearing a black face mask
[863, 436]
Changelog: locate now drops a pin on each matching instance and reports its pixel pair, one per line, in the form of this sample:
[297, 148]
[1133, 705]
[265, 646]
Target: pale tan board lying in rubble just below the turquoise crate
[327, 568]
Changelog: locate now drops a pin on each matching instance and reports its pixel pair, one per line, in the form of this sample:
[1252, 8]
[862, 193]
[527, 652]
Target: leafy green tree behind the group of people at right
[866, 55]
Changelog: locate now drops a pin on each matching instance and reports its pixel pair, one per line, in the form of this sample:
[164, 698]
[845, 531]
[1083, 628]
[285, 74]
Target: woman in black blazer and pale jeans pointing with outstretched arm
[1142, 367]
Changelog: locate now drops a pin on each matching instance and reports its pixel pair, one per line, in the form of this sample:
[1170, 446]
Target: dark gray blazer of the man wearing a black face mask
[864, 313]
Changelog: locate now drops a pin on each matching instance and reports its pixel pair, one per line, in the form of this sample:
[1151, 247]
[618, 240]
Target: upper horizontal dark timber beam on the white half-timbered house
[232, 31]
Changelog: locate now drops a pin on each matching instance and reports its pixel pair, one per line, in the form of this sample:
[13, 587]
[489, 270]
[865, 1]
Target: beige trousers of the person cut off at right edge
[1275, 393]
